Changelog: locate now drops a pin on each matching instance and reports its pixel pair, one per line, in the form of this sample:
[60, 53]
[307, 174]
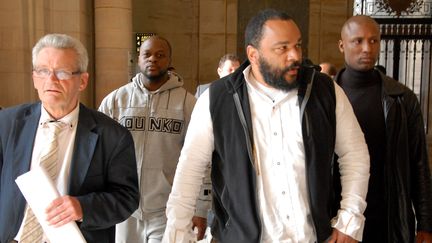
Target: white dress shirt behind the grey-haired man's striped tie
[66, 141]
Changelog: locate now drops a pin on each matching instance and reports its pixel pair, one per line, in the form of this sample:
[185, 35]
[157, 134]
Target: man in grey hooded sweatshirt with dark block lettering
[156, 109]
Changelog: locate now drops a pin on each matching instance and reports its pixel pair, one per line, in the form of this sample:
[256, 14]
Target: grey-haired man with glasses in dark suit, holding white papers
[94, 173]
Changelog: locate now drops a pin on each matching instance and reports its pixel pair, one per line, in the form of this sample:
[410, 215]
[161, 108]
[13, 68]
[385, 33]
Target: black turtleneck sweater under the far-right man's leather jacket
[364, 92]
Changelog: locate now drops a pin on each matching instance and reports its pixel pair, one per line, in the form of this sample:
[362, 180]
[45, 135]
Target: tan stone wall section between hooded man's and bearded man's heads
[200, 32]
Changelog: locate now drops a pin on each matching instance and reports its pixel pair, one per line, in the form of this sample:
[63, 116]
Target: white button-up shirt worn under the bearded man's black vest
[282, 188]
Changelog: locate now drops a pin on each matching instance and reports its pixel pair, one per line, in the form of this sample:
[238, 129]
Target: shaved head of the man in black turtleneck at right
[360, 42]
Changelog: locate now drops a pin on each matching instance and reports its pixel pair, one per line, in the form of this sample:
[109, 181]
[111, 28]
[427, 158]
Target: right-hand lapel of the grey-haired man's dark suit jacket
[85, 144]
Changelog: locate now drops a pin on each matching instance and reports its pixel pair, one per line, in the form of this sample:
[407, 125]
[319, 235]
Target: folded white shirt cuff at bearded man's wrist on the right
[349, 224]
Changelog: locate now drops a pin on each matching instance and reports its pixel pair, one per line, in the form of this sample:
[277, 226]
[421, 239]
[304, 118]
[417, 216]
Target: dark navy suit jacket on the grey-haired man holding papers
[103, 173]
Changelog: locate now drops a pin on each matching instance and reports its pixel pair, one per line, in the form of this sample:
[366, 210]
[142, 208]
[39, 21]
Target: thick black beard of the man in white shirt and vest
[276, 77]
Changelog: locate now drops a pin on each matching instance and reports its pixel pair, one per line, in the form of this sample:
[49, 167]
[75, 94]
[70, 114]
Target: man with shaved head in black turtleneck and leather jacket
[399, 196]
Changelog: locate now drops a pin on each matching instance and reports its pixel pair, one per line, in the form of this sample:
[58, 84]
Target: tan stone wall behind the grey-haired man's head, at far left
[22, 23]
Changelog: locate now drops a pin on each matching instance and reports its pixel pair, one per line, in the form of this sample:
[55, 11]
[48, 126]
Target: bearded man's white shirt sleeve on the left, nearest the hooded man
[191, 168]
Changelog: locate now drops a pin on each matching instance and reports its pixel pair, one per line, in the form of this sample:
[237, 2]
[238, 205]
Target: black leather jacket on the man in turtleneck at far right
[408, 178]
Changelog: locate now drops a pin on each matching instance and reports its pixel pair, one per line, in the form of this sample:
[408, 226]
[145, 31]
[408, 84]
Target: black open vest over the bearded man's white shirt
[233, 174]
